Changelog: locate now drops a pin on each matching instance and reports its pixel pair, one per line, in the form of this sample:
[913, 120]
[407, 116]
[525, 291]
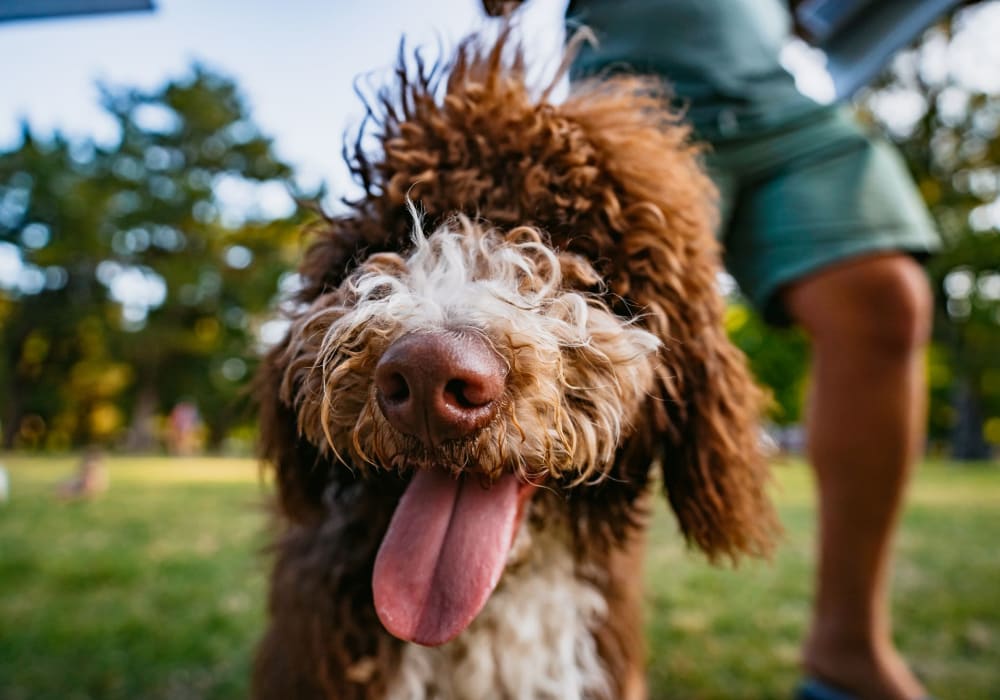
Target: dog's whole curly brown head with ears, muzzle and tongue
[559, 328]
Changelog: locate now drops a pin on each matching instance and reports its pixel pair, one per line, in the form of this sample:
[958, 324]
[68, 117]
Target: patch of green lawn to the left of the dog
[153, 591]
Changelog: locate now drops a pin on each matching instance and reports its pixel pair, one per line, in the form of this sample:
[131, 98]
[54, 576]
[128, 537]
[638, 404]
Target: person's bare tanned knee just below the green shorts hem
[883, 302]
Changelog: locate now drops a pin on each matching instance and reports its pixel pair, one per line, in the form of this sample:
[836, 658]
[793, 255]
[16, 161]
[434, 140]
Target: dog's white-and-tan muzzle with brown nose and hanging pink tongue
[477, 364]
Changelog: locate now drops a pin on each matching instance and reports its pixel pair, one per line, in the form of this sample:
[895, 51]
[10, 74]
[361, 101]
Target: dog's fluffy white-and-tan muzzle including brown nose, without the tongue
[524, 373]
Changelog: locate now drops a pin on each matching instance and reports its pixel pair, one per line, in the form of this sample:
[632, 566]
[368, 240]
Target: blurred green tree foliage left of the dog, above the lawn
[137, 275]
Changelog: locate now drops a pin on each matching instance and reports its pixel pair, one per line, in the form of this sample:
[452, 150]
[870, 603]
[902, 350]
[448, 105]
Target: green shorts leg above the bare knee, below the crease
[815, 193]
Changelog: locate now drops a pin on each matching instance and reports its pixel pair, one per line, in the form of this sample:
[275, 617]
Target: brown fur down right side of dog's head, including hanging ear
[655, 223]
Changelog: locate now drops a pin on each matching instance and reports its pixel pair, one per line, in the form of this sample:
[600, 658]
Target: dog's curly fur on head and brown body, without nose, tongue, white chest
[577, 240]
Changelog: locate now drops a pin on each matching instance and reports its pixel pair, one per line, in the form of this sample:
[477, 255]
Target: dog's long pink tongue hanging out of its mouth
[443, 554]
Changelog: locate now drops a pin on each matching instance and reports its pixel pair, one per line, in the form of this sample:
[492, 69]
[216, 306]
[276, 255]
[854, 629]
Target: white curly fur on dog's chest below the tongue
[534, 639]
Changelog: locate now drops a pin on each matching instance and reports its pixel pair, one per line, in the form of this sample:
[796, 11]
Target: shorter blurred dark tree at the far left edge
[50, 212]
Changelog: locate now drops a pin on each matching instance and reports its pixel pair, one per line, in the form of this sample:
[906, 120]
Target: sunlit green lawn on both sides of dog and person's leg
[156, 589]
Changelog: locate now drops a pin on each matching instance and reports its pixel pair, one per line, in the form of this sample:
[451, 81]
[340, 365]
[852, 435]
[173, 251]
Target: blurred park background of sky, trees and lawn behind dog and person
[150, 165]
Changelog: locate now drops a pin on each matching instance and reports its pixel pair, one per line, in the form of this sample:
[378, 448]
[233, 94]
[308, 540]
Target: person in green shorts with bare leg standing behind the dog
[821, 226]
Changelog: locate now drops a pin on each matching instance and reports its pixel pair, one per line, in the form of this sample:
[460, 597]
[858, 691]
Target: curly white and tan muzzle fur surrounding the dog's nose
[573, 365]
